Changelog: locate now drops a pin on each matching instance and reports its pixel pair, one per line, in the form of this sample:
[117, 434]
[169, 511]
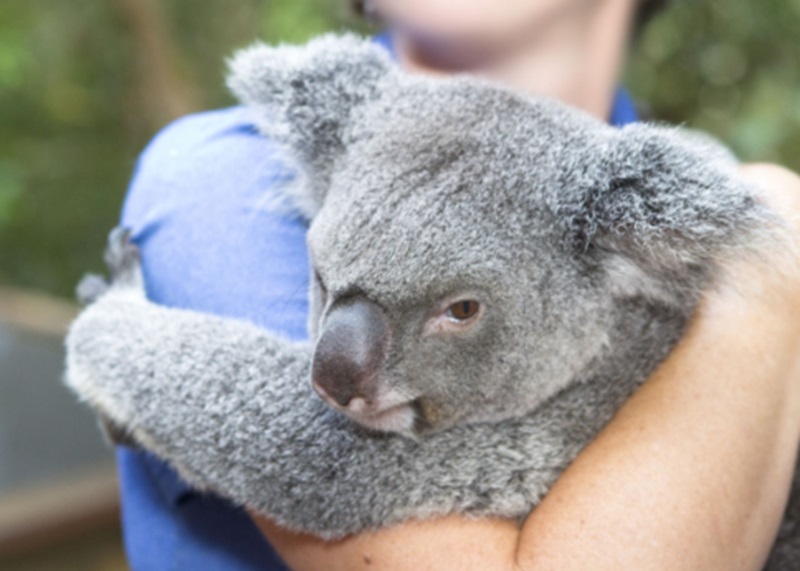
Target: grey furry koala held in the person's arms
[494, 274]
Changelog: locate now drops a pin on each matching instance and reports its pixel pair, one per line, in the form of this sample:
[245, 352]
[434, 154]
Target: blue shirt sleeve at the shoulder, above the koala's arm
[202, 210]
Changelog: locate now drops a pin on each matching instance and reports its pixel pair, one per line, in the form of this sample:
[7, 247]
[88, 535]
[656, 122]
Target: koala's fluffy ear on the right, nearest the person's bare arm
[658, 204]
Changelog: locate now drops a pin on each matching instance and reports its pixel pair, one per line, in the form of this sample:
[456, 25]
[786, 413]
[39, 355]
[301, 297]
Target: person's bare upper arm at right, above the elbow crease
[694, 471]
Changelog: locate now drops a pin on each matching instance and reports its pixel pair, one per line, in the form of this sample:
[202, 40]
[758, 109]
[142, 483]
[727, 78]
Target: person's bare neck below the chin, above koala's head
[576, 60]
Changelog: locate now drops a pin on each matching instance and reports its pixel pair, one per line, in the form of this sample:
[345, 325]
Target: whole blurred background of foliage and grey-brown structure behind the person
[85, 84]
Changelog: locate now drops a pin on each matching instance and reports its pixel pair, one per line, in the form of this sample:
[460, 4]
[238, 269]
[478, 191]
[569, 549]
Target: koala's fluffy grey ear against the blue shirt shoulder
[304, 97]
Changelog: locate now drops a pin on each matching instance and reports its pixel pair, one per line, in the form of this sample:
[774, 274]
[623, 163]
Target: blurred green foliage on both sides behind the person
[85, 84]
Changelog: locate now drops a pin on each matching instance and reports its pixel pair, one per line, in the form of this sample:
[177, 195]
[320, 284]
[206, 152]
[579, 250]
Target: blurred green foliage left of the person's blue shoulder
[78, 103]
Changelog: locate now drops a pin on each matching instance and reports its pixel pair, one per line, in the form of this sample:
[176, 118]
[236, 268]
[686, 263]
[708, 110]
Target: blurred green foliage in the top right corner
[729, 67]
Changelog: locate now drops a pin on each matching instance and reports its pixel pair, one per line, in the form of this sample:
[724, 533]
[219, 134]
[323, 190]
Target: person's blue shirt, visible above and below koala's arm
[197, 208]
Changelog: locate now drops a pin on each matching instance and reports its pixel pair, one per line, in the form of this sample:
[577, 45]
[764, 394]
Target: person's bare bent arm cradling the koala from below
[692, 473]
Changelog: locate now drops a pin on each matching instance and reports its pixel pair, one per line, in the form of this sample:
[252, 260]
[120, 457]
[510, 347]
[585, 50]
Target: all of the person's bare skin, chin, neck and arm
[694, 471]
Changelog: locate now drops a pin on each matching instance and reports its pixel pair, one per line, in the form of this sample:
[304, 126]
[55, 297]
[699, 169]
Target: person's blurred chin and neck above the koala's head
[556, 48]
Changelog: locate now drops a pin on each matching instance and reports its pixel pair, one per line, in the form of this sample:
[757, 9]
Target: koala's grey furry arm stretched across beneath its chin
[229, 405]
